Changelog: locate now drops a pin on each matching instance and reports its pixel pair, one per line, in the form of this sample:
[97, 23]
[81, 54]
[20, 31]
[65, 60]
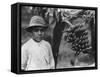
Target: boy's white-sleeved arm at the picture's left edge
[23, 58]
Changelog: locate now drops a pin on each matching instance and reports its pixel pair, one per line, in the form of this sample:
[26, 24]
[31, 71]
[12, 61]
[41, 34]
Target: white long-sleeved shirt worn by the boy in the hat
[36, 55]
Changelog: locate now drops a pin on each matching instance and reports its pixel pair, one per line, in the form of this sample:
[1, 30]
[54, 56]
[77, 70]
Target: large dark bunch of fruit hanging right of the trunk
[78, 37]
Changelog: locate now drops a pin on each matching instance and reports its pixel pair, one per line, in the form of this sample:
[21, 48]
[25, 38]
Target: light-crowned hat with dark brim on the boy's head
[36, 21]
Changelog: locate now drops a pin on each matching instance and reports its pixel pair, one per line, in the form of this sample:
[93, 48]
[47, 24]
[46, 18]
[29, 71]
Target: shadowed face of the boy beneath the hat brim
[38, 33]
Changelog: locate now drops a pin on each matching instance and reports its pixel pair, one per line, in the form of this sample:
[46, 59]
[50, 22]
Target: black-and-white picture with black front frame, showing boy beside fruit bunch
[57, 37]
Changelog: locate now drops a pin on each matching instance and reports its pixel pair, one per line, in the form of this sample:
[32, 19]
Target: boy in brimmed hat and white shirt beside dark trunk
[36, 54]
